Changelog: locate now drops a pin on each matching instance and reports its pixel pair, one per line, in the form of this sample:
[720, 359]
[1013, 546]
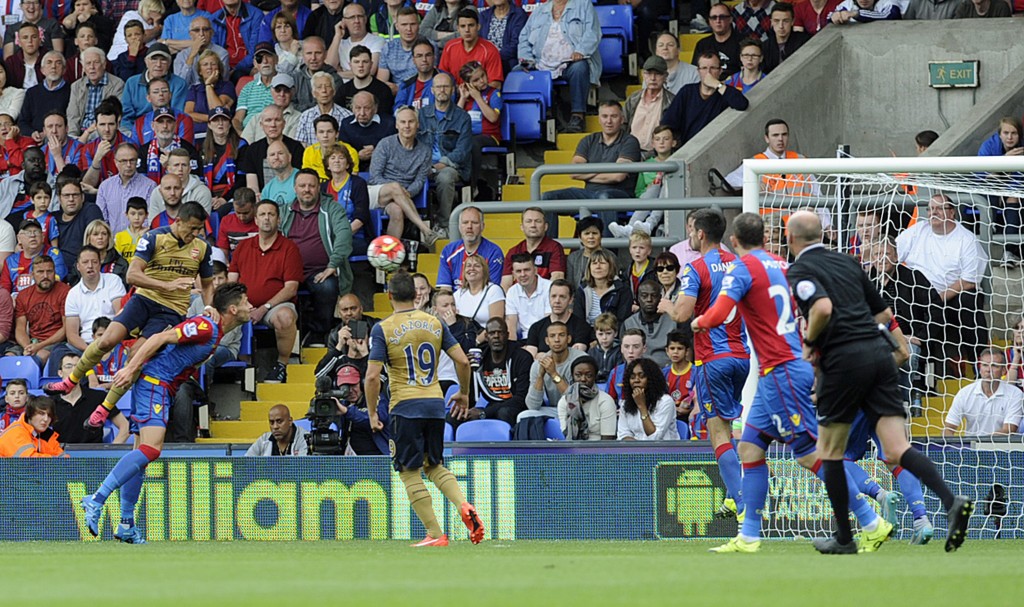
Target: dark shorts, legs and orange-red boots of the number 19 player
[418, 448]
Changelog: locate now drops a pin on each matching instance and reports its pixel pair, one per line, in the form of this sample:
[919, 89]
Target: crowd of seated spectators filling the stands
[305, 133]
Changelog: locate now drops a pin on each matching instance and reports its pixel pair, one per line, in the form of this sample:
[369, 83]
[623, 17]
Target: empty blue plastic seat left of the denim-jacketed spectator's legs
[527, 99]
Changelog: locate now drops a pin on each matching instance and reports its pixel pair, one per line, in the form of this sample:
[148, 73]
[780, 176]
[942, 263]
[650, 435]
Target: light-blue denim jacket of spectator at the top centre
[581, 28]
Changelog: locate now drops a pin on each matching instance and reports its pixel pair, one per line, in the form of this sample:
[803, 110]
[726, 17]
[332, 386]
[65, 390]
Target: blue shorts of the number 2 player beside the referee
[783, 408]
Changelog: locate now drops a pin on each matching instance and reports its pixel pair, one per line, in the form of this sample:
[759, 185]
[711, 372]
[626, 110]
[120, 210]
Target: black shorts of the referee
[859, 376]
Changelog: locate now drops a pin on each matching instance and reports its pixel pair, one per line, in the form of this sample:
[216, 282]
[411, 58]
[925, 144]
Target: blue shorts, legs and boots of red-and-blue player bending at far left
[151, 406]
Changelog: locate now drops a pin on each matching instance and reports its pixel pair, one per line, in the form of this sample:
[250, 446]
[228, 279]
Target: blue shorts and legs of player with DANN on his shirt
[719, 393]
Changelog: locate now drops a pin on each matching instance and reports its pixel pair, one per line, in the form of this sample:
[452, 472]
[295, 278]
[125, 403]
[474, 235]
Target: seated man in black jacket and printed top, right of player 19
[501, 378]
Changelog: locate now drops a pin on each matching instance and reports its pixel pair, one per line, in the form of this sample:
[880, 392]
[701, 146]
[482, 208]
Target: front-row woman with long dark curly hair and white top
[649, 412]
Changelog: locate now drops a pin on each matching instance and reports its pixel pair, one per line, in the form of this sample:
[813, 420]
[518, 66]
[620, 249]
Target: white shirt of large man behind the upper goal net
[943, 258]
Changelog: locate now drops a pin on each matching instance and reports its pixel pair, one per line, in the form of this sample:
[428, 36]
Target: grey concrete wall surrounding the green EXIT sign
[868, 86]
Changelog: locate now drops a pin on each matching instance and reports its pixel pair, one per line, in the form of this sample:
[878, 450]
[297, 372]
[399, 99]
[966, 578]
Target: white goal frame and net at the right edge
[941, 238]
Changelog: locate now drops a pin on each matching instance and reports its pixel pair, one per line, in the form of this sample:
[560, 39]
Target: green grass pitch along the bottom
[522, 574]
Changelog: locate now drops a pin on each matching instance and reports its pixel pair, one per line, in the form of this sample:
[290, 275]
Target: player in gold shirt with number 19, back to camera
[409, 343]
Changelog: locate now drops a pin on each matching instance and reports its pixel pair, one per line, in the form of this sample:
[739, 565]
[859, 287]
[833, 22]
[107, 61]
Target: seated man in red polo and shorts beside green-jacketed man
[273, 266]
